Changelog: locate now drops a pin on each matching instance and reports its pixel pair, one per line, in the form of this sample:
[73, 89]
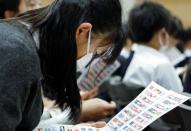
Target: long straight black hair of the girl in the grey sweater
[57, 25]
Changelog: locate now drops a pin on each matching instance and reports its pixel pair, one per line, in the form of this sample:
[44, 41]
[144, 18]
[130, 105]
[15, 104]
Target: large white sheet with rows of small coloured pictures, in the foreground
[148, 106]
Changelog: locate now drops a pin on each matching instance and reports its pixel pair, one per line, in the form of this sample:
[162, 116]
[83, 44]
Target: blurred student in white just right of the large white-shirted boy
[172, 49]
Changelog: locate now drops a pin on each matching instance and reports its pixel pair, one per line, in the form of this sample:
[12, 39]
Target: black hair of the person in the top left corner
[12, 5]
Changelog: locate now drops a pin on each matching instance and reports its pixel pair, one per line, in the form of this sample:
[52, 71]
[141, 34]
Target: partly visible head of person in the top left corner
[10, 8]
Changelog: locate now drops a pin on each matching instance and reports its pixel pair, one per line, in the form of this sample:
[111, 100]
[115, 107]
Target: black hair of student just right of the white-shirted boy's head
[176, 28]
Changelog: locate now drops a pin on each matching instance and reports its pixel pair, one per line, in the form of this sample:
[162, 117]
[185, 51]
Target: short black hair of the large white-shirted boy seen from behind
[145, 20]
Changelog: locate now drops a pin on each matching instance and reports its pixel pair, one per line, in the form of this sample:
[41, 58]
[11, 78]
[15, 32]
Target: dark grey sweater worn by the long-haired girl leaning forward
[20, 93]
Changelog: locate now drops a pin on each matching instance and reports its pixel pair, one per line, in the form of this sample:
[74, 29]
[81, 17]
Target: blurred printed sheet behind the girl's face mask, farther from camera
[97, 73]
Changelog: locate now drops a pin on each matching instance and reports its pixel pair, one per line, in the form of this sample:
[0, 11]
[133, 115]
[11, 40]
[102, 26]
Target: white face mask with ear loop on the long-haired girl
[82, 62]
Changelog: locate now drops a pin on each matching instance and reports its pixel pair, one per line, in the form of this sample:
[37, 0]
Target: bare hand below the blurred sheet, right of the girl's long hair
[95, 109]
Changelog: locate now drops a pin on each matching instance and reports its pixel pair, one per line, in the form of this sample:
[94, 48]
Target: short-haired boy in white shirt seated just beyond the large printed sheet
[147, 28]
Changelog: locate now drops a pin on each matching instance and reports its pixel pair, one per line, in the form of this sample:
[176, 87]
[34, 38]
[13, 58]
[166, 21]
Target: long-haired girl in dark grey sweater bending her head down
[44, 46]
